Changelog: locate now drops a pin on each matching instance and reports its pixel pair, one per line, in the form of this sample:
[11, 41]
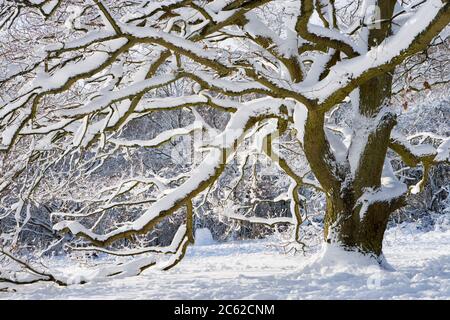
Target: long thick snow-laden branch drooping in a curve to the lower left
[200, 178]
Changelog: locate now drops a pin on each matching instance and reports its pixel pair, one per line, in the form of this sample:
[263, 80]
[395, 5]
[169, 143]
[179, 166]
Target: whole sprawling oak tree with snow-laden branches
[90, 69]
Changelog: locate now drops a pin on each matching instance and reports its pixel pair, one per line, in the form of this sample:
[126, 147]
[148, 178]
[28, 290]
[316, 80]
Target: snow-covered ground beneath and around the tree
[257, 270]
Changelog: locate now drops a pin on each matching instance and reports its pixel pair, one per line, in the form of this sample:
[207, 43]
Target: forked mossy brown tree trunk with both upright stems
[347, 222]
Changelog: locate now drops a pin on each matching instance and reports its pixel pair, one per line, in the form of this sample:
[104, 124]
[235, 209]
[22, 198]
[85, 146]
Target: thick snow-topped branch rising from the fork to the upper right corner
[412, 37]
